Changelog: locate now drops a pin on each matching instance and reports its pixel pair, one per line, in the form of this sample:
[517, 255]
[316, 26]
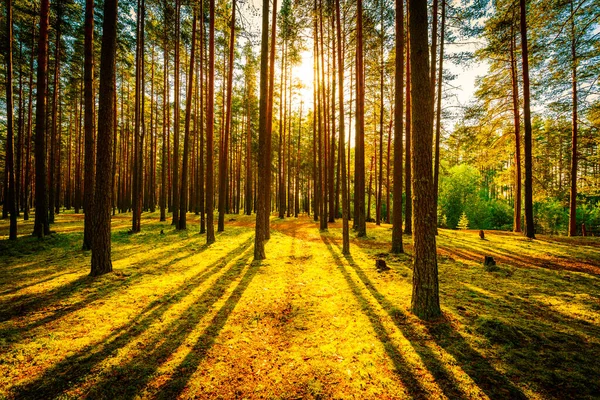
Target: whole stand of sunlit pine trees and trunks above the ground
[340, 109]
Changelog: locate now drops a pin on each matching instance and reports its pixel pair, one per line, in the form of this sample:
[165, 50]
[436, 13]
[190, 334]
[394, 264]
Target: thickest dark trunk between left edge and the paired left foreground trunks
[41, 224]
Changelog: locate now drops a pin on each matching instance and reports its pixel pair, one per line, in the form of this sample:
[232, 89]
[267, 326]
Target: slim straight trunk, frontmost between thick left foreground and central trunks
[210, 128]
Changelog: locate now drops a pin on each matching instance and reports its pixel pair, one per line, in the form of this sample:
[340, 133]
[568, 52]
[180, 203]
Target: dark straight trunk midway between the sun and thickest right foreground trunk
[359, 184]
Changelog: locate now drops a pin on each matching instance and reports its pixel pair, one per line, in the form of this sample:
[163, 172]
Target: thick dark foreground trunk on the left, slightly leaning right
[101, 254]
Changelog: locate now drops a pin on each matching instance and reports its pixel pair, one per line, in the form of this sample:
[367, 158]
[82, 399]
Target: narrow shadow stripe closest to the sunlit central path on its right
[410, 380]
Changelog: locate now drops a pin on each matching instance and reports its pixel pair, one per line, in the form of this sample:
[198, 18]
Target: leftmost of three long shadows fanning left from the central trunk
[75, 369]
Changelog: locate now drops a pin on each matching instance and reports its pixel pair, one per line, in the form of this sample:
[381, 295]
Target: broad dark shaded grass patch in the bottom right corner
[537, 344]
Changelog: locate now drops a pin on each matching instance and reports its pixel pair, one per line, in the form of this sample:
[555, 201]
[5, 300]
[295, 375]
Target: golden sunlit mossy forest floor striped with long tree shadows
[178, 318]
